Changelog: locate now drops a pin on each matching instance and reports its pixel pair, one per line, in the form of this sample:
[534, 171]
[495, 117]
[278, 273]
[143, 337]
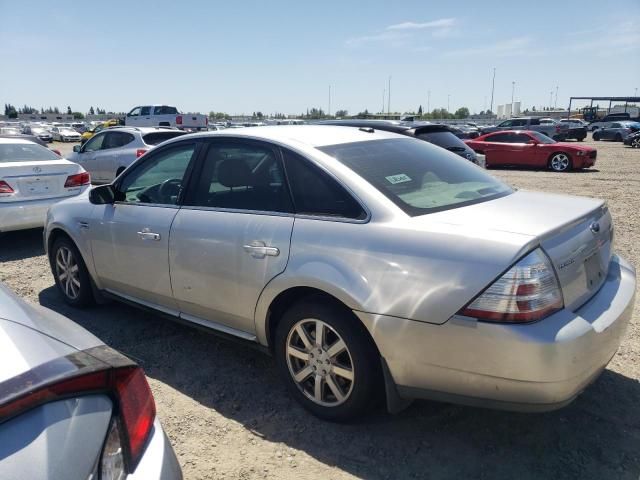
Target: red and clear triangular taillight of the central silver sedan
[528, 291]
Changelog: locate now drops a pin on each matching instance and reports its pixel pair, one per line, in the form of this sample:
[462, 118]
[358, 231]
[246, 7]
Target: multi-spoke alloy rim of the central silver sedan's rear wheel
[319, 362]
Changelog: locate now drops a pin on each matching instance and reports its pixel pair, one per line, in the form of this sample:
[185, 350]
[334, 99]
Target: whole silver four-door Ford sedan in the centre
[369, 264]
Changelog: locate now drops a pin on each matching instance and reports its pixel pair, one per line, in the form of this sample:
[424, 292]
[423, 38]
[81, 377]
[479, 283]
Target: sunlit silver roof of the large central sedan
[311, 135]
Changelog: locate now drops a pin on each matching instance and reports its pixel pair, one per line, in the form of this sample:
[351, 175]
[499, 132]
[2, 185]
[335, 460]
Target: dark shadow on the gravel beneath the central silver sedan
[596, 437]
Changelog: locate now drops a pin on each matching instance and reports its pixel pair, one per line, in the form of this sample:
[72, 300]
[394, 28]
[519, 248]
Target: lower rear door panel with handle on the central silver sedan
[220, 261]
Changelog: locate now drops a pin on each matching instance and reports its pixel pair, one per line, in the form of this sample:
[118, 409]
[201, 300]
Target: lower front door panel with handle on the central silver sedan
[130, 246]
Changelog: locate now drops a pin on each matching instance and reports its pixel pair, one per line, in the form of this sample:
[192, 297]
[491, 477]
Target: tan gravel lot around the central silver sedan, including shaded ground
[228, 415]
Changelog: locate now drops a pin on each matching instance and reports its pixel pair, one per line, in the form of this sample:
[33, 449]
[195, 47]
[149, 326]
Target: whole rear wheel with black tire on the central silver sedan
[354, 373]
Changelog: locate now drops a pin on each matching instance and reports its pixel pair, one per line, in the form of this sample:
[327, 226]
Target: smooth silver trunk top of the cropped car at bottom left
[31, 335]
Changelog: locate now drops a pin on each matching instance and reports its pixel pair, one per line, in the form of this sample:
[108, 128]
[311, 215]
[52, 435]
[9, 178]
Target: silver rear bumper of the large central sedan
[531, 367]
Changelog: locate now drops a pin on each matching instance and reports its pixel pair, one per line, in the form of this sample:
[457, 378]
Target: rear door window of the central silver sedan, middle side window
[242, 176]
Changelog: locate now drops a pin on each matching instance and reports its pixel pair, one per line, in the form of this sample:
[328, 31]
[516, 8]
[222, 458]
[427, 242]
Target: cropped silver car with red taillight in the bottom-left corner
[71, 407]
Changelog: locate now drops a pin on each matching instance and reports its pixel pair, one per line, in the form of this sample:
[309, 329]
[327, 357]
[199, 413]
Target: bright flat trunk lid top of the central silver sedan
[534, 214]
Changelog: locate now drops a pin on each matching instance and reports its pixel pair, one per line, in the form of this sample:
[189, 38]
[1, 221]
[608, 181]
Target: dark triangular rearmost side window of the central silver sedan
[316, 193]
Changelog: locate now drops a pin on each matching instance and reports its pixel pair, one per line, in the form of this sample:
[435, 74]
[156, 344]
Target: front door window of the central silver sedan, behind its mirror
[159, 179]
